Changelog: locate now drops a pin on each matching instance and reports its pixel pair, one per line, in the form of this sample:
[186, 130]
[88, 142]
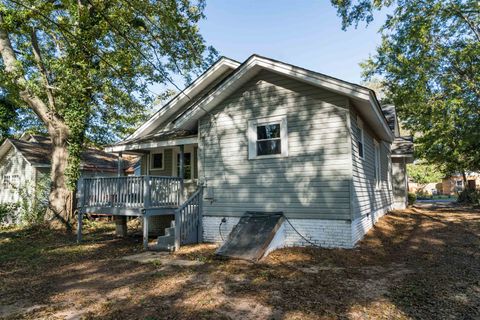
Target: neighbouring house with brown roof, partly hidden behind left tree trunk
[25, 167]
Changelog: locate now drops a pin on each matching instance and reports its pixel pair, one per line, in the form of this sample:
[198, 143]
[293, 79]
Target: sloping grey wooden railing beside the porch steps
[188, 224]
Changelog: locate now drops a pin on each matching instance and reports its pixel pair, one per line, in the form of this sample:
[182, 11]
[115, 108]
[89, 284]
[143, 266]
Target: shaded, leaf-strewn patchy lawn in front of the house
[416, 264]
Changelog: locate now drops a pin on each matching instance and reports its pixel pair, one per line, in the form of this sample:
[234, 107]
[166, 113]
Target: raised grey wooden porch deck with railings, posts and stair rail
[144, 197]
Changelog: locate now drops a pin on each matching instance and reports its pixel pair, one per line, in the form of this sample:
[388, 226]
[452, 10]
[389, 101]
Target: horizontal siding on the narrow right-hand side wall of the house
[366, 198]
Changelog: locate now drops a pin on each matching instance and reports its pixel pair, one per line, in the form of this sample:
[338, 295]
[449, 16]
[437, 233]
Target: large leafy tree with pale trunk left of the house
[84, 68]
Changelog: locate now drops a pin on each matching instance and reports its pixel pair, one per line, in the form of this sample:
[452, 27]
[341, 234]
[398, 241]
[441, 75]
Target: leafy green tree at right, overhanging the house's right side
[429, 60]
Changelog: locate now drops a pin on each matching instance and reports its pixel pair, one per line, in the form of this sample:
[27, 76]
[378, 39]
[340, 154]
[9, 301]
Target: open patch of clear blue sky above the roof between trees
[306, 33]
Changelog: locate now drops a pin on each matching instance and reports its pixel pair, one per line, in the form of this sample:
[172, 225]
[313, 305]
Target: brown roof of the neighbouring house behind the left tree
[37, 151]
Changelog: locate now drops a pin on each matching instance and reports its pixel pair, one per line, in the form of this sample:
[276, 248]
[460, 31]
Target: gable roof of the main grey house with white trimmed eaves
[214, 86]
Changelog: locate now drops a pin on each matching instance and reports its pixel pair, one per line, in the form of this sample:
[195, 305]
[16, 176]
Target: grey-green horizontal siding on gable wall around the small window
[312, 182]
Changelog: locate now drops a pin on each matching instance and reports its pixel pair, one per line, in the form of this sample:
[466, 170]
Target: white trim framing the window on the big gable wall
[252, 136]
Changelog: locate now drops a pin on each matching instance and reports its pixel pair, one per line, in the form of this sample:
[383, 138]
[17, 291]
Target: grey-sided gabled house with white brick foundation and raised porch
[263, 136]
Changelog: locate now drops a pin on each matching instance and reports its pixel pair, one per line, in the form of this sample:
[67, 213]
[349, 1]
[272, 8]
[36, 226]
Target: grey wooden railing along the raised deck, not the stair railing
[132, 192]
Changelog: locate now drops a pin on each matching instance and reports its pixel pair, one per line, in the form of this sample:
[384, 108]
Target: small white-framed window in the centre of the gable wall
[267, 138]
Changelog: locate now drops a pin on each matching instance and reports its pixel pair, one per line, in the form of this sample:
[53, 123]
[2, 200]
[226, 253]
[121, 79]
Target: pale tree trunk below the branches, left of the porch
[59, 213]
